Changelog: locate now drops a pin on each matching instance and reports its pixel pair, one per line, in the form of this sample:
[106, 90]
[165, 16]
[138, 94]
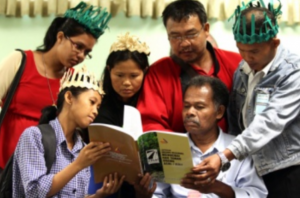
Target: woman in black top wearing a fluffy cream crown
[122, 78]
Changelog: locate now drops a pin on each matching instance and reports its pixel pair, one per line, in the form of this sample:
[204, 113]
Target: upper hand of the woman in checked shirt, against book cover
[91, 153]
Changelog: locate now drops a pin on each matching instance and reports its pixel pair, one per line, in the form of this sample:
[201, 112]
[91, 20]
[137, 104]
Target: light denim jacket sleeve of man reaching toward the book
[282, 109]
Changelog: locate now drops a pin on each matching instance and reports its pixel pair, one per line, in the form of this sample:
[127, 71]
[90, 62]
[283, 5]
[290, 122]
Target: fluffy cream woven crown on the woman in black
[131, 43]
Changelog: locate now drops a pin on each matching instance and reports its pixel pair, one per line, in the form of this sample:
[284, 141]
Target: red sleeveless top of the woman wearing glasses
[31, 96]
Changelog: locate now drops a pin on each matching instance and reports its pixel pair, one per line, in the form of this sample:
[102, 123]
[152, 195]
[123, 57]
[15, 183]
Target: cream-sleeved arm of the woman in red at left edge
[8, 69]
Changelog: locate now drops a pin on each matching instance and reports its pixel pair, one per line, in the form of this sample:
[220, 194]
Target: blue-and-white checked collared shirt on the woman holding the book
[29, 169]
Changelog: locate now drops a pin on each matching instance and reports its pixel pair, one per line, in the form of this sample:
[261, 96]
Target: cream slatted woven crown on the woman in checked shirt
[81, 78]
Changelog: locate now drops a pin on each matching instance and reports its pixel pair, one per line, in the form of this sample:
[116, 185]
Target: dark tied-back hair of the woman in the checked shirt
[51, 112]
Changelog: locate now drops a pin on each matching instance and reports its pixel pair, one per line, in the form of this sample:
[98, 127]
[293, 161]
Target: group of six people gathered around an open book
[200, 90]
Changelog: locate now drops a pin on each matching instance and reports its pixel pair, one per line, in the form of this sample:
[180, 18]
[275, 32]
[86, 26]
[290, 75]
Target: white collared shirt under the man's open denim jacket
[253, 80]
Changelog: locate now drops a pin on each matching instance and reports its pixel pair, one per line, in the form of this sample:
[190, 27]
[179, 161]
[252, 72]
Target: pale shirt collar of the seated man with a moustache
[219, 144]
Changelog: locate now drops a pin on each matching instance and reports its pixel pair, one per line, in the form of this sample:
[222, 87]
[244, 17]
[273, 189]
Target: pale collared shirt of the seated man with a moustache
[241, 175]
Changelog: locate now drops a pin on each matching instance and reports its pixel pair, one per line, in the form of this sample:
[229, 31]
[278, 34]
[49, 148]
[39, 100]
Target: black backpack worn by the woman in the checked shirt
[48, 141]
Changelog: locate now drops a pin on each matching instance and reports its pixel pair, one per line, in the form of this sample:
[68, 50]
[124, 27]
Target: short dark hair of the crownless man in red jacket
[181, 9]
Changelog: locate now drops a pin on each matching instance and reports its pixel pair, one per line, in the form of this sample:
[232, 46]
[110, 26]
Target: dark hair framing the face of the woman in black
[115, 57]
